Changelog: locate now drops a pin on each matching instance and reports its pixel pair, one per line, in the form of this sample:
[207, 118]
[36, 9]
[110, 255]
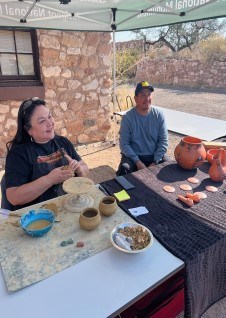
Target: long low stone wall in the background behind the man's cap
[185, 73]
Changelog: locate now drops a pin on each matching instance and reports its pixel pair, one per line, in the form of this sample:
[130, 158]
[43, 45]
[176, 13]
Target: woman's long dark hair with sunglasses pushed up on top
[24, 122]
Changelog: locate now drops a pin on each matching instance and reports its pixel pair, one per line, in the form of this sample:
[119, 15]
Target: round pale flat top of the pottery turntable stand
[78, 185]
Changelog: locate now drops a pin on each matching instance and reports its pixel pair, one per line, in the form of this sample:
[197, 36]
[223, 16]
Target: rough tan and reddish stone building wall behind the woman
[76, 73]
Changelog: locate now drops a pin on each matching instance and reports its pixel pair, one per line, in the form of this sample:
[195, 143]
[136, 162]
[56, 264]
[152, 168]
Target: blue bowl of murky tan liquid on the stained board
[37, 222]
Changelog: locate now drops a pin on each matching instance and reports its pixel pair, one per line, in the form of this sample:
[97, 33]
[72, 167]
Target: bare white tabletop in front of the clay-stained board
[98, 287]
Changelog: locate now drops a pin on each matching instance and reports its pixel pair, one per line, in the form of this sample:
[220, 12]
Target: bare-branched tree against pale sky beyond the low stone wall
[180, 36]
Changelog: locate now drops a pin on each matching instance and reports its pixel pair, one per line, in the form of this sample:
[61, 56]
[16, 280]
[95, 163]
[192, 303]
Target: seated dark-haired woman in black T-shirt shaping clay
[38, 161]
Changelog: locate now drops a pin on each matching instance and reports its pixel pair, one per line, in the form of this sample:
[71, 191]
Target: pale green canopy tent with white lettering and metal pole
[105, 15]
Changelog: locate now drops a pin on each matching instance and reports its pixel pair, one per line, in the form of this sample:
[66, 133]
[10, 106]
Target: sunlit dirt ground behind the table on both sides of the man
[103, 158]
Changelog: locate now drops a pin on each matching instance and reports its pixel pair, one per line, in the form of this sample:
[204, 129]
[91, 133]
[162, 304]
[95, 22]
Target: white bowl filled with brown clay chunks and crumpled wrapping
[131, 238]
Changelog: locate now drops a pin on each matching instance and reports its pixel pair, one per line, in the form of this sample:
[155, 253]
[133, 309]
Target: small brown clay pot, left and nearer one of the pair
[89, 219]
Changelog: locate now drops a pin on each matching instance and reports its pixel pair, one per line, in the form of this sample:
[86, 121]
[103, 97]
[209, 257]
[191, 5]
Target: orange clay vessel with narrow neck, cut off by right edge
[217, 171]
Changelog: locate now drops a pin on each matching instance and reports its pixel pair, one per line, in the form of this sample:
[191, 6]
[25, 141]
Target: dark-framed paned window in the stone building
[19, 61]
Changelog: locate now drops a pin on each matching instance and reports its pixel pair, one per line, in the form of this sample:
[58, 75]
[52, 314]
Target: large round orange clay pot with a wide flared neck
[190, 153]
